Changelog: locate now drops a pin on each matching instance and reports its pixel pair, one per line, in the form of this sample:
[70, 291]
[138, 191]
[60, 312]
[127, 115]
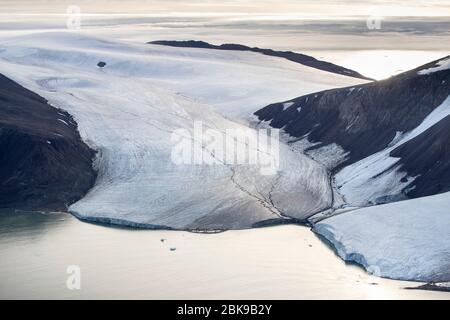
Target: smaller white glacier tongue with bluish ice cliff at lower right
[407, 240]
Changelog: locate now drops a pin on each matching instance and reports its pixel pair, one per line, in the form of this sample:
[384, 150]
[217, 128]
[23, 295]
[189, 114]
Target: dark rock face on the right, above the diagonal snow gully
[362, 119]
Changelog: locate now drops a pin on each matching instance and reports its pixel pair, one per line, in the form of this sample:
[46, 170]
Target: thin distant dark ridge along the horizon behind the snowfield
[289, 55]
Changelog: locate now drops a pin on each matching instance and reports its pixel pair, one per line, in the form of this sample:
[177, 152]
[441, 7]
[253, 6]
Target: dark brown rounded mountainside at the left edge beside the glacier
[44, 165]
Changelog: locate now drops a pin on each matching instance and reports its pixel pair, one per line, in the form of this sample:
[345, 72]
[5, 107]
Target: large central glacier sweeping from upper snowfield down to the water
[129, 110]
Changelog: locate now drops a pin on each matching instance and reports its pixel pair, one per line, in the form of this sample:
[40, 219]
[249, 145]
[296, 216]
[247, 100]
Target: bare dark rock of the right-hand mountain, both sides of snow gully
[364, 120]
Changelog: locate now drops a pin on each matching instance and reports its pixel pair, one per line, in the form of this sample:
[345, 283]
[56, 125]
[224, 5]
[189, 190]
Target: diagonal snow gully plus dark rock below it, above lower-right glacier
[414, 166]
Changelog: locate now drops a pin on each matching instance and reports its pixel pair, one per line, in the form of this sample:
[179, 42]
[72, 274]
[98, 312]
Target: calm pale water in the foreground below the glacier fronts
[286, 262]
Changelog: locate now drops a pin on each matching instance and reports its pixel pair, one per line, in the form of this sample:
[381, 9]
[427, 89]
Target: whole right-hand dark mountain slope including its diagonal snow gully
[369, 123]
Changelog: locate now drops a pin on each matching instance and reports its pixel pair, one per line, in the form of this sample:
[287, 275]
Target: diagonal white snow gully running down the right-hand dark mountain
[362, 182]
